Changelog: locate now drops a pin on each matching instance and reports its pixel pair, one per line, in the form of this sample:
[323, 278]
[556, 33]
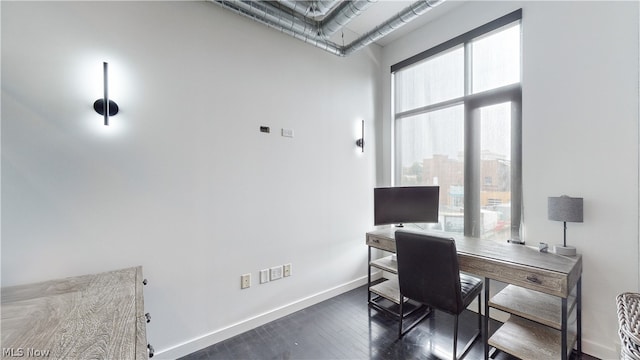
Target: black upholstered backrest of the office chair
[428, 270]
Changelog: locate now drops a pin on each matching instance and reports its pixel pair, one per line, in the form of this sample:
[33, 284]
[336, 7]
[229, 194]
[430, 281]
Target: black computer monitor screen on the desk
[406, 204]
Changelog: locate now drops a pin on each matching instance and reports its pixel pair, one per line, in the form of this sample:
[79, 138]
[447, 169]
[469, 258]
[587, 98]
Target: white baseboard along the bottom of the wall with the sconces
[216, 336]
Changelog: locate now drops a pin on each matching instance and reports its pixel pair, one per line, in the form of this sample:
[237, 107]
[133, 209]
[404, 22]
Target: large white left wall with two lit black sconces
[182, 182]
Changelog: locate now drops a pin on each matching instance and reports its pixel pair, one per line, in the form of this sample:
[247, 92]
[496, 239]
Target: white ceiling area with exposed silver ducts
[341, 26]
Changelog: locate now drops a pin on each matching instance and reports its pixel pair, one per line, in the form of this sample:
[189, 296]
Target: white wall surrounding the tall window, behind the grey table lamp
[580, 135]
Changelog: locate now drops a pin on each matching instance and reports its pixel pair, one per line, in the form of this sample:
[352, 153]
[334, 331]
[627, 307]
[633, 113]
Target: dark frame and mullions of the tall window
[472, 102]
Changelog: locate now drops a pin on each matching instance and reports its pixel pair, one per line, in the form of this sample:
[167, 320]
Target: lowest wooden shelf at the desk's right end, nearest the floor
[529, 340]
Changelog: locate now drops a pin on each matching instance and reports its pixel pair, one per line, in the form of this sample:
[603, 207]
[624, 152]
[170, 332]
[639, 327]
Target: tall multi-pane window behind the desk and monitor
[457, 116]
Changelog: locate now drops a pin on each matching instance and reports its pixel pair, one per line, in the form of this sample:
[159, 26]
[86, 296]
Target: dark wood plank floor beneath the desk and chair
[344, 327]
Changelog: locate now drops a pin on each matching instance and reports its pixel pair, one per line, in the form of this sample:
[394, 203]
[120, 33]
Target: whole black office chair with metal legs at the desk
[428, 273]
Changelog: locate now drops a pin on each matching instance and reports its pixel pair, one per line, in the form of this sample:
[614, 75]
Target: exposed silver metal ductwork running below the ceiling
[315, 32]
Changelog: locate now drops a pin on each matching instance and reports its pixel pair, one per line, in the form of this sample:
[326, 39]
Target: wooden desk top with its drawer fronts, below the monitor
[510, 263]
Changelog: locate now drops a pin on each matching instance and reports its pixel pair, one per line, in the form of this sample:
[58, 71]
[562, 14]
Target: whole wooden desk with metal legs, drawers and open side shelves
[544, 284]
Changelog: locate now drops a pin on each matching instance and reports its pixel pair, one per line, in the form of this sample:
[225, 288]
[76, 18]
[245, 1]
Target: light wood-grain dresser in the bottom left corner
[97, 316]
